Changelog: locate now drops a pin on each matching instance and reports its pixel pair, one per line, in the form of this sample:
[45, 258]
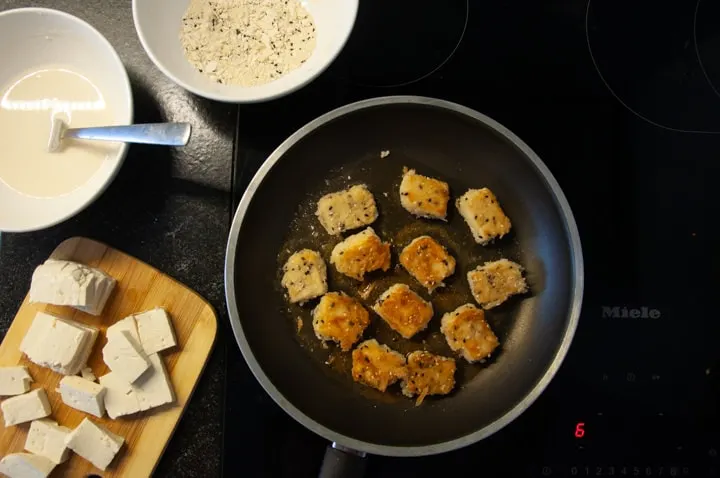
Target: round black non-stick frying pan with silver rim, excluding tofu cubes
[275, 217]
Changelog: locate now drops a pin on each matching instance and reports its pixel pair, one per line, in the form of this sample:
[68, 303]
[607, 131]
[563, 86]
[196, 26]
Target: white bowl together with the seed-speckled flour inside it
[243, 51]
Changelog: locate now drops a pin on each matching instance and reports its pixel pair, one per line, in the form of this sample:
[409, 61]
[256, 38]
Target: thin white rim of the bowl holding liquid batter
[122, 150]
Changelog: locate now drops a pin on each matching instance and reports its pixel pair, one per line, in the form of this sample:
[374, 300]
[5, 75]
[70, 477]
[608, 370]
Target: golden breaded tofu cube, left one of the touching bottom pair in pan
[377, 366]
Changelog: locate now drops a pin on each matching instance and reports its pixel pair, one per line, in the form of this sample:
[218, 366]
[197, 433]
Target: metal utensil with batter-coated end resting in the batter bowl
[168, 134]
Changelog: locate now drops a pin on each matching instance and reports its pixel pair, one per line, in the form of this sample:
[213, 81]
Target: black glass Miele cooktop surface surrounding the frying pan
[622, 102]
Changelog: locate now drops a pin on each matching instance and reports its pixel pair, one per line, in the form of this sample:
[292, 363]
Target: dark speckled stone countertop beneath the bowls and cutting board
[169, 208]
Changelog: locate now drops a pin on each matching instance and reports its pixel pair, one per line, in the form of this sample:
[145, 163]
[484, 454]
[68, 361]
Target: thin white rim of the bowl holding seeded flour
[354, 4]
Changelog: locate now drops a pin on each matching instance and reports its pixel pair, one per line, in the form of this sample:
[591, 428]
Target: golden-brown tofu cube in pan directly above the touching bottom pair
[403, 310]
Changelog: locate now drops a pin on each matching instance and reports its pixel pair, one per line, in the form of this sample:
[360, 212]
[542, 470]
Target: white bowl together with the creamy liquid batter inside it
[58, 67]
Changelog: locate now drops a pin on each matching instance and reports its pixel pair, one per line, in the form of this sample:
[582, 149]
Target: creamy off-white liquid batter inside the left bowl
[27, 109]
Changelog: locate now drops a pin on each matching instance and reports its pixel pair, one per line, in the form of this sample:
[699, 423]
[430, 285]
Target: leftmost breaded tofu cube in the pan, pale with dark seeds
[304, 276]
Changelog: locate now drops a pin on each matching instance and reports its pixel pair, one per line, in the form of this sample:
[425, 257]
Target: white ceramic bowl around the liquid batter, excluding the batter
[37, 38]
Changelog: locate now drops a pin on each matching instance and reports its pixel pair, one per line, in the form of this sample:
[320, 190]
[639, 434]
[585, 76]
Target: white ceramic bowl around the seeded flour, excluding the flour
[158, 25]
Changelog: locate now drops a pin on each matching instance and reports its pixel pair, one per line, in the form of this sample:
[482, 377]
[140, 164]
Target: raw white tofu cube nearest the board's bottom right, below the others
[94, 443]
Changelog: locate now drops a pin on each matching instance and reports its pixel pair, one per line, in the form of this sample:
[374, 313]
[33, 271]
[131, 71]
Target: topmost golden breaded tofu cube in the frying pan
[424, 196]
